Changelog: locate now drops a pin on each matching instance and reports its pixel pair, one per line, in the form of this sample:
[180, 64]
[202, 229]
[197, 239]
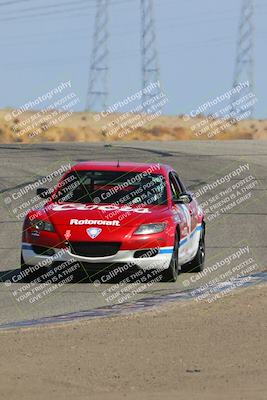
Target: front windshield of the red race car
[112, 187]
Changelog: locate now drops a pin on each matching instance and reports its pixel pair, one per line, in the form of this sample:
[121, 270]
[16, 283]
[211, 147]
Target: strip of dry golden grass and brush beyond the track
[83, 127]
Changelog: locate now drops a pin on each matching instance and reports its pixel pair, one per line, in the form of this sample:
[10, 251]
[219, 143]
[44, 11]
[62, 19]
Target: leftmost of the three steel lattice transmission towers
[97, 94]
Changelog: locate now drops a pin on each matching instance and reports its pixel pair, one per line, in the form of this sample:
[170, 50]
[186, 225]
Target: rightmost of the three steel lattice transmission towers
[244, 66]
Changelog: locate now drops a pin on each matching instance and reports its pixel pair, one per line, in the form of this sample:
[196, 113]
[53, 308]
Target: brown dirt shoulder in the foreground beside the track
[185, 350]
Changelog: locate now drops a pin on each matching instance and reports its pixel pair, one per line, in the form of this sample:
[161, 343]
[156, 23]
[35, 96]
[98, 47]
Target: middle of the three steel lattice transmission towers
[150, 68]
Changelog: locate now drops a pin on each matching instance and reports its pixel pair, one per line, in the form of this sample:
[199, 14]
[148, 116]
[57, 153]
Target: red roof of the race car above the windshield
[122, 166]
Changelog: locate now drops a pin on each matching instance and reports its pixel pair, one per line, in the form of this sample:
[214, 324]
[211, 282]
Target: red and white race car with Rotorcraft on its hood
[116, 213]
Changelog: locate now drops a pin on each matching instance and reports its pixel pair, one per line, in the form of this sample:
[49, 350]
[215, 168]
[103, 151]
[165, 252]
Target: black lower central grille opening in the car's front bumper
[97, 249]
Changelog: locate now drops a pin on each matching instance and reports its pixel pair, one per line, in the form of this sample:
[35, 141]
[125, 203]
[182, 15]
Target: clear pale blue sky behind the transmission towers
[196, 46]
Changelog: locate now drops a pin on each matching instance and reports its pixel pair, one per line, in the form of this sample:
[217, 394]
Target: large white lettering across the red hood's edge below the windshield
[88, 207]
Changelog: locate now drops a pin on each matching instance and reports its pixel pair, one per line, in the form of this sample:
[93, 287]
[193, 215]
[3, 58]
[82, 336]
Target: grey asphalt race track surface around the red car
[236, 221]
